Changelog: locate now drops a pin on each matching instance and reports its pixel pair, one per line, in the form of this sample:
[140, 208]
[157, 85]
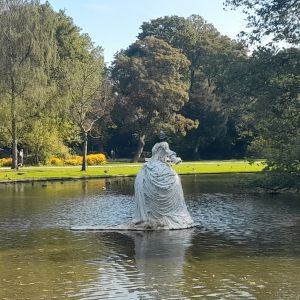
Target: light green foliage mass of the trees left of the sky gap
[43, 55]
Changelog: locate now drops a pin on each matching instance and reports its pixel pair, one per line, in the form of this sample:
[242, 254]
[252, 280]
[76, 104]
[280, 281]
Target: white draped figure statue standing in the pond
[158, 194]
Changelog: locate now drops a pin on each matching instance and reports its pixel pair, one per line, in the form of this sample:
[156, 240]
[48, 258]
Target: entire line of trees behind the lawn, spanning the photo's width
[212, 98]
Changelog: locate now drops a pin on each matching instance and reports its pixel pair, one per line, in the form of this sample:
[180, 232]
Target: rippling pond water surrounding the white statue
[246, 247]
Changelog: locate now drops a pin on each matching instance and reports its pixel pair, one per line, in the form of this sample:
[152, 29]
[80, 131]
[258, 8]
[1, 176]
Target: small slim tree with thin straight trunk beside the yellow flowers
[89, 93]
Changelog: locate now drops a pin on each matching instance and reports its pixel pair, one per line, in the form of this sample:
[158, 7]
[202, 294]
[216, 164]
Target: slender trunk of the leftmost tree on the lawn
[14, 129]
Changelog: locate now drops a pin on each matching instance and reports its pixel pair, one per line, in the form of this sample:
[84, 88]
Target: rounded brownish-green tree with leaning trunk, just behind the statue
[151, 80]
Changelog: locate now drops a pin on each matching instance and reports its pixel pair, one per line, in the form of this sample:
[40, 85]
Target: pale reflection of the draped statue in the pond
[160, 258]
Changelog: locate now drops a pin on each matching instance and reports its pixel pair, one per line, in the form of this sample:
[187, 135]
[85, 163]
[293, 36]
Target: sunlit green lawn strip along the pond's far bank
[124, 169]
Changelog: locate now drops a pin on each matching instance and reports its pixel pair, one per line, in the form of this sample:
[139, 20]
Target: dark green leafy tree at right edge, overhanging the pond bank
[269, 113]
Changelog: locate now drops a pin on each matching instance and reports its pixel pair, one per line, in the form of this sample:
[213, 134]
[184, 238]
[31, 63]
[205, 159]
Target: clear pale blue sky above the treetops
[115, 24]
